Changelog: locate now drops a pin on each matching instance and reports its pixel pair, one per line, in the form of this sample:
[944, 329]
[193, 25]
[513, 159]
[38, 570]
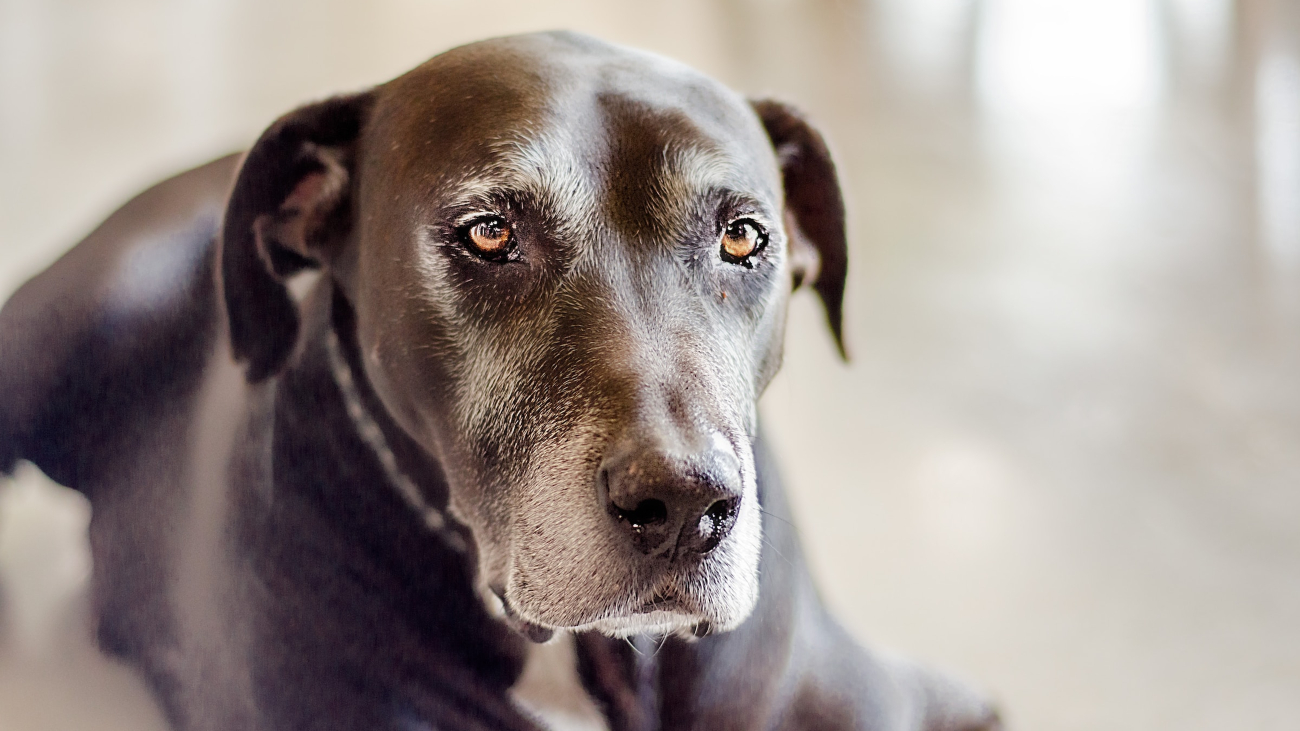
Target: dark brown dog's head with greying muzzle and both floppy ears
[570, 266]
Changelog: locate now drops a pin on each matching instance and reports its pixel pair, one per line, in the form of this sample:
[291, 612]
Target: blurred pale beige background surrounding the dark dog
[1065, 460]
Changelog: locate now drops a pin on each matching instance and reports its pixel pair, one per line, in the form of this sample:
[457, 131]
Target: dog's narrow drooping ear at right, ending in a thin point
[814, 209]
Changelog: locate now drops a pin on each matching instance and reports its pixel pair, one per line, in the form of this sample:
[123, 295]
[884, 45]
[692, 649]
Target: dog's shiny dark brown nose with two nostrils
[671, 504]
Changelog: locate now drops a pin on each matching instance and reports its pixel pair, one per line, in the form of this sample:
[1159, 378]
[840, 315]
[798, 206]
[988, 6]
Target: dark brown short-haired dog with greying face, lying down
[437, 409]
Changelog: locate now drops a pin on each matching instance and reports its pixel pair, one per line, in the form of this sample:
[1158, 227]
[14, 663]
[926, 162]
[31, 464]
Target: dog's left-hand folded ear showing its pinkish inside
[291, 210]
